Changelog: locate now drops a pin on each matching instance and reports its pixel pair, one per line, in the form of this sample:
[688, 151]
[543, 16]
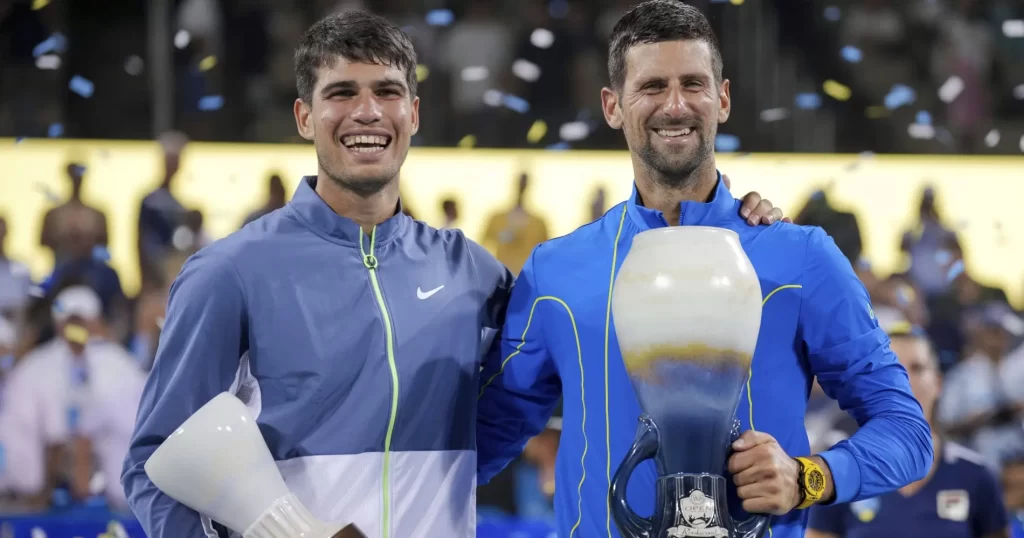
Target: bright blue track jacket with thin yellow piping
[818, 321]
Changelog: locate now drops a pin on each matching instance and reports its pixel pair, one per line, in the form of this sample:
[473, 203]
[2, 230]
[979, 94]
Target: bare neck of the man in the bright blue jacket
[656, 195]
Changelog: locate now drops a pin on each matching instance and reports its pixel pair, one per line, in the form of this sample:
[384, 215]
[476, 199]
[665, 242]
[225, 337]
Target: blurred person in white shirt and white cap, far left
[69, 408]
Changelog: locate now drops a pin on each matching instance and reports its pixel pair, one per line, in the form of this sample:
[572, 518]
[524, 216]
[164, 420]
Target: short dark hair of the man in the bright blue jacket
[656, 22]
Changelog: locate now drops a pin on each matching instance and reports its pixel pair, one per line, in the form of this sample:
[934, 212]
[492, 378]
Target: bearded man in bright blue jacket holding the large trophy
[668, 96]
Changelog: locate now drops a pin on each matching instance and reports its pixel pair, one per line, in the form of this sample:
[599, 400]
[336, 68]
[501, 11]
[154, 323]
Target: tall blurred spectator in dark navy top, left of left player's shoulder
[161, 214]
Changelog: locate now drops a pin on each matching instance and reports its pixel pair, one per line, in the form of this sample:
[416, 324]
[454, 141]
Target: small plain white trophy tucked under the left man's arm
[218, 465]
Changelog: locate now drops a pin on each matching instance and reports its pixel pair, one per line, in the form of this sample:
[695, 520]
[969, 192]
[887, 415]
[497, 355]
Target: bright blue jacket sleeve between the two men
[520, 382]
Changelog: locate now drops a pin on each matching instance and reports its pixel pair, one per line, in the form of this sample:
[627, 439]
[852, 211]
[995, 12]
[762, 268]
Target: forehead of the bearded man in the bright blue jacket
[669, 60]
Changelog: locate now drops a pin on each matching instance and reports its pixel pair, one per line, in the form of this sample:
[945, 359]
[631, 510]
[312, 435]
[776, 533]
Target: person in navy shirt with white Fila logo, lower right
[960, 499]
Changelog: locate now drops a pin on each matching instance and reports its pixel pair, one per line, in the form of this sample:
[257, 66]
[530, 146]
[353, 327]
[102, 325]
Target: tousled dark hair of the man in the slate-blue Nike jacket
[356, 36]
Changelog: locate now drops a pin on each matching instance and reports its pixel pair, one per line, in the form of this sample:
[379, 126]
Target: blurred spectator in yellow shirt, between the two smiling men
[514, 234]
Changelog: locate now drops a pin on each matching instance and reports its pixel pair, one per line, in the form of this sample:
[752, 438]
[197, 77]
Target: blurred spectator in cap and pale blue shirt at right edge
[978, 406]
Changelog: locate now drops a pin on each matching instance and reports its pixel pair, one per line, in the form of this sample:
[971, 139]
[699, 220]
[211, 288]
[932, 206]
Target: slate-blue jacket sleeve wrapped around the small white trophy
[200, 348]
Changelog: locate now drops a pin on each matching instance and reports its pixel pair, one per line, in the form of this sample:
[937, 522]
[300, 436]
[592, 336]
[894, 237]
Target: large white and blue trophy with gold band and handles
[688, 312]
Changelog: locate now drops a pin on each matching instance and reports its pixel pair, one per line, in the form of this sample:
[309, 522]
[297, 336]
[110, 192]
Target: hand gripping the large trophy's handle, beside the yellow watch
[767, 479]
